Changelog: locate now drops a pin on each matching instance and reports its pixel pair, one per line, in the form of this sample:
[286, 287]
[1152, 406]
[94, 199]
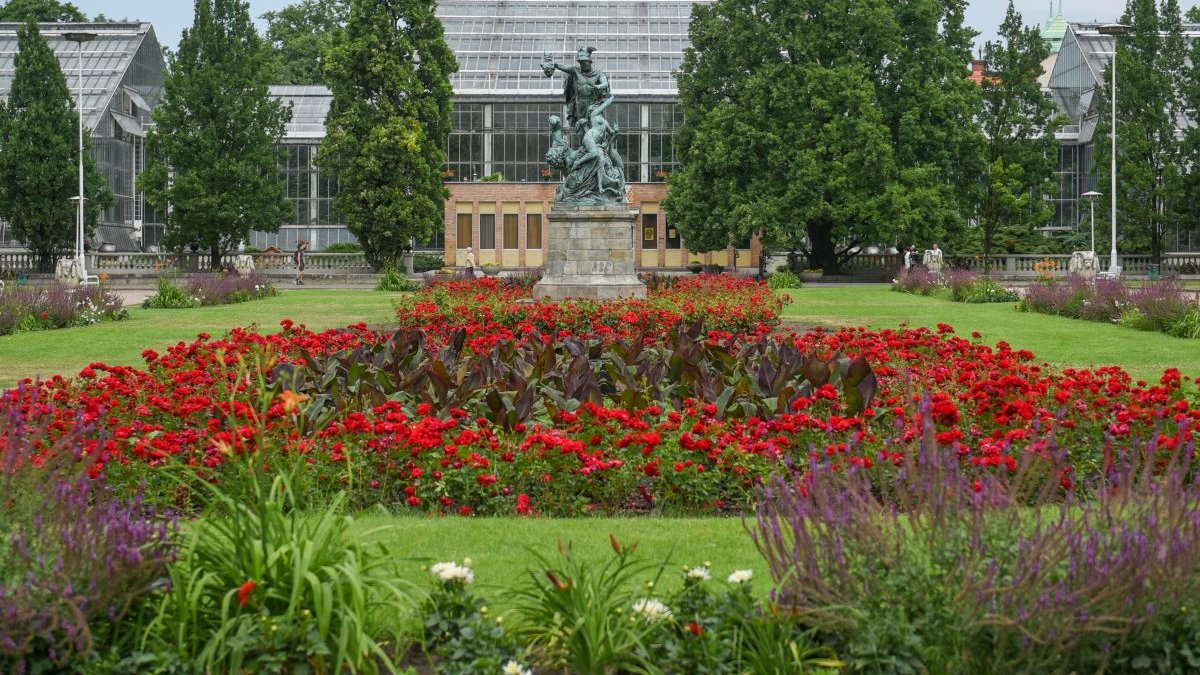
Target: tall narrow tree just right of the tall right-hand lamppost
[1150, 159]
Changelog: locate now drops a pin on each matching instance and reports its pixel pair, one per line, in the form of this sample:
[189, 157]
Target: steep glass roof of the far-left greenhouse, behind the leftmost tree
[105, 59]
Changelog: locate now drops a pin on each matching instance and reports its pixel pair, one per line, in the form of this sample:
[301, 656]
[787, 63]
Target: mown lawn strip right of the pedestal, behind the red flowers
[1064, 343]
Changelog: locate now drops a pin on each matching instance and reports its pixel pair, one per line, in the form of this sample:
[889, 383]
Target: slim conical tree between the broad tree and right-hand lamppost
[1019, 123]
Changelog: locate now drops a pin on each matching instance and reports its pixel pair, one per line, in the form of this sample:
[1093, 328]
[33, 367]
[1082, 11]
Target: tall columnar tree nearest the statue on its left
[388, 124]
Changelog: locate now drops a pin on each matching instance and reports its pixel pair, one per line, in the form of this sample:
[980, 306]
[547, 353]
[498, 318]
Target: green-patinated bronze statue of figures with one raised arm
[596, 174]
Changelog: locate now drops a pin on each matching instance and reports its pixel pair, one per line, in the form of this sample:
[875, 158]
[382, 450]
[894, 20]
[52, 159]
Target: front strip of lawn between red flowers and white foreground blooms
[501, 548]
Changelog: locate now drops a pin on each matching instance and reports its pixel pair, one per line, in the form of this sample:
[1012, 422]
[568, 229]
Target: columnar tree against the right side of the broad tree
[932, 107]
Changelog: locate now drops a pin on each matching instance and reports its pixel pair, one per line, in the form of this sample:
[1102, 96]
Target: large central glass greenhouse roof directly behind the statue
[500, 44]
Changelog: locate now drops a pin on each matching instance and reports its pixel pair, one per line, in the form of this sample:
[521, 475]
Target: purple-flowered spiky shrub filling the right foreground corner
[922, 566]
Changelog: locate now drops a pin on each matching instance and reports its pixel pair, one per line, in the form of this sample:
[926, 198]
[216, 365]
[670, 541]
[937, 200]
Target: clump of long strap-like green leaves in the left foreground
[263, 587]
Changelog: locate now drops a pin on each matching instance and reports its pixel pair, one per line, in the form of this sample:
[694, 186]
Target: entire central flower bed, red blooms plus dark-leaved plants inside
[512, 447]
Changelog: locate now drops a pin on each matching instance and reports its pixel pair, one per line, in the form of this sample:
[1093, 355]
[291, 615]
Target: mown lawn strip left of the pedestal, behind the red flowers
[68, 351]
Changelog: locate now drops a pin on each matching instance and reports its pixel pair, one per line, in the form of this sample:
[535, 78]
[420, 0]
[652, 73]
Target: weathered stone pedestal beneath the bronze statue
[590, 255]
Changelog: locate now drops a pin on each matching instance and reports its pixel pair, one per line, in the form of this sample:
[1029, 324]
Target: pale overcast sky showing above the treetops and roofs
[171, 17]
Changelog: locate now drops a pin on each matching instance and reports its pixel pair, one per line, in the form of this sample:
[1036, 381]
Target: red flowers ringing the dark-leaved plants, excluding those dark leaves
[199, 403]
